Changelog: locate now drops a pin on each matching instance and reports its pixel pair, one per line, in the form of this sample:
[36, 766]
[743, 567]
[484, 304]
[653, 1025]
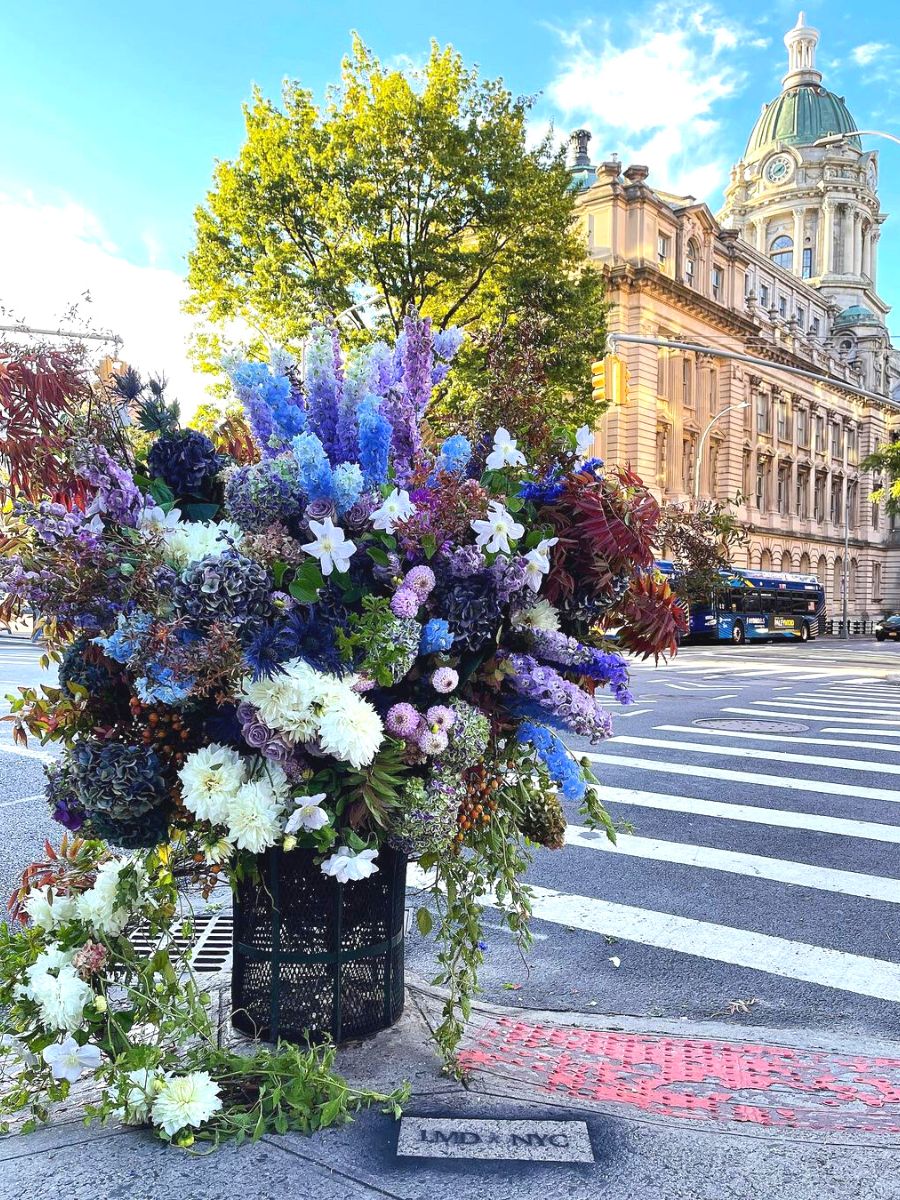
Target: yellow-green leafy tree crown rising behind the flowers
[418, 188]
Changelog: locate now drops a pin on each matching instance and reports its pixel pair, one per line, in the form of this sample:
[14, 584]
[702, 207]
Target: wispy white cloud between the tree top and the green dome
[652, 94]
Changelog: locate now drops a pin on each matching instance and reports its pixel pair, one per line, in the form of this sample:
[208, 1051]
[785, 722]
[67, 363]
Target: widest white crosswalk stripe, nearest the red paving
[723, 944]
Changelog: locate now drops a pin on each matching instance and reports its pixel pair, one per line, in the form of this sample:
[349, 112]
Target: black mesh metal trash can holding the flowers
[316, 959]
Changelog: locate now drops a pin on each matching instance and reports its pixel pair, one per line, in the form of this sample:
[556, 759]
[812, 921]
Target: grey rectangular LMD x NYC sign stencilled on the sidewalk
[539, 1142]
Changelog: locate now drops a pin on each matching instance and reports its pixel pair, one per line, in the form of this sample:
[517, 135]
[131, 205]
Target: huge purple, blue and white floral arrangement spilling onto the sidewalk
[356, 638]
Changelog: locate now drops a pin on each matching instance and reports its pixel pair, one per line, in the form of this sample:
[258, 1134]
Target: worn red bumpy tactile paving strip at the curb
[699, 1081]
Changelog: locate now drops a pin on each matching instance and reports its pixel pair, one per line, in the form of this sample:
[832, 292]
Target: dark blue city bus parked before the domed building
[757, 607]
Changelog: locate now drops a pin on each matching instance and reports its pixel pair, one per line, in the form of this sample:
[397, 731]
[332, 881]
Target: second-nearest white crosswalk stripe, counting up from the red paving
[853, 884]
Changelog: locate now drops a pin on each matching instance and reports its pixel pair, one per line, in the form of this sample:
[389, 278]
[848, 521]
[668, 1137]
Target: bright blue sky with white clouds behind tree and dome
[115, 113]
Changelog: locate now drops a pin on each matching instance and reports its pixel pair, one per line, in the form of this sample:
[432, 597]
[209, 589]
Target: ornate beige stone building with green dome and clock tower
[759, 357]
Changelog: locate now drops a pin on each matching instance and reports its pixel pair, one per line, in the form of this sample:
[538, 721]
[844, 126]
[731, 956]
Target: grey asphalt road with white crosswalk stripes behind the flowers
[760, 881]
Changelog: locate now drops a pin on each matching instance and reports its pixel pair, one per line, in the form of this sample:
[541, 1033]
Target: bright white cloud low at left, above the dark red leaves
[55, 254]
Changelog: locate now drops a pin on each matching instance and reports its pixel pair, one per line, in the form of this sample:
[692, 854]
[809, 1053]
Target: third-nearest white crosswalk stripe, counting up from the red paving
[782, 819]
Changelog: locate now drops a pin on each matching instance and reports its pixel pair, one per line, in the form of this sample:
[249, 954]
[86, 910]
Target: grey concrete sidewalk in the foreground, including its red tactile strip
[670, 1112]
